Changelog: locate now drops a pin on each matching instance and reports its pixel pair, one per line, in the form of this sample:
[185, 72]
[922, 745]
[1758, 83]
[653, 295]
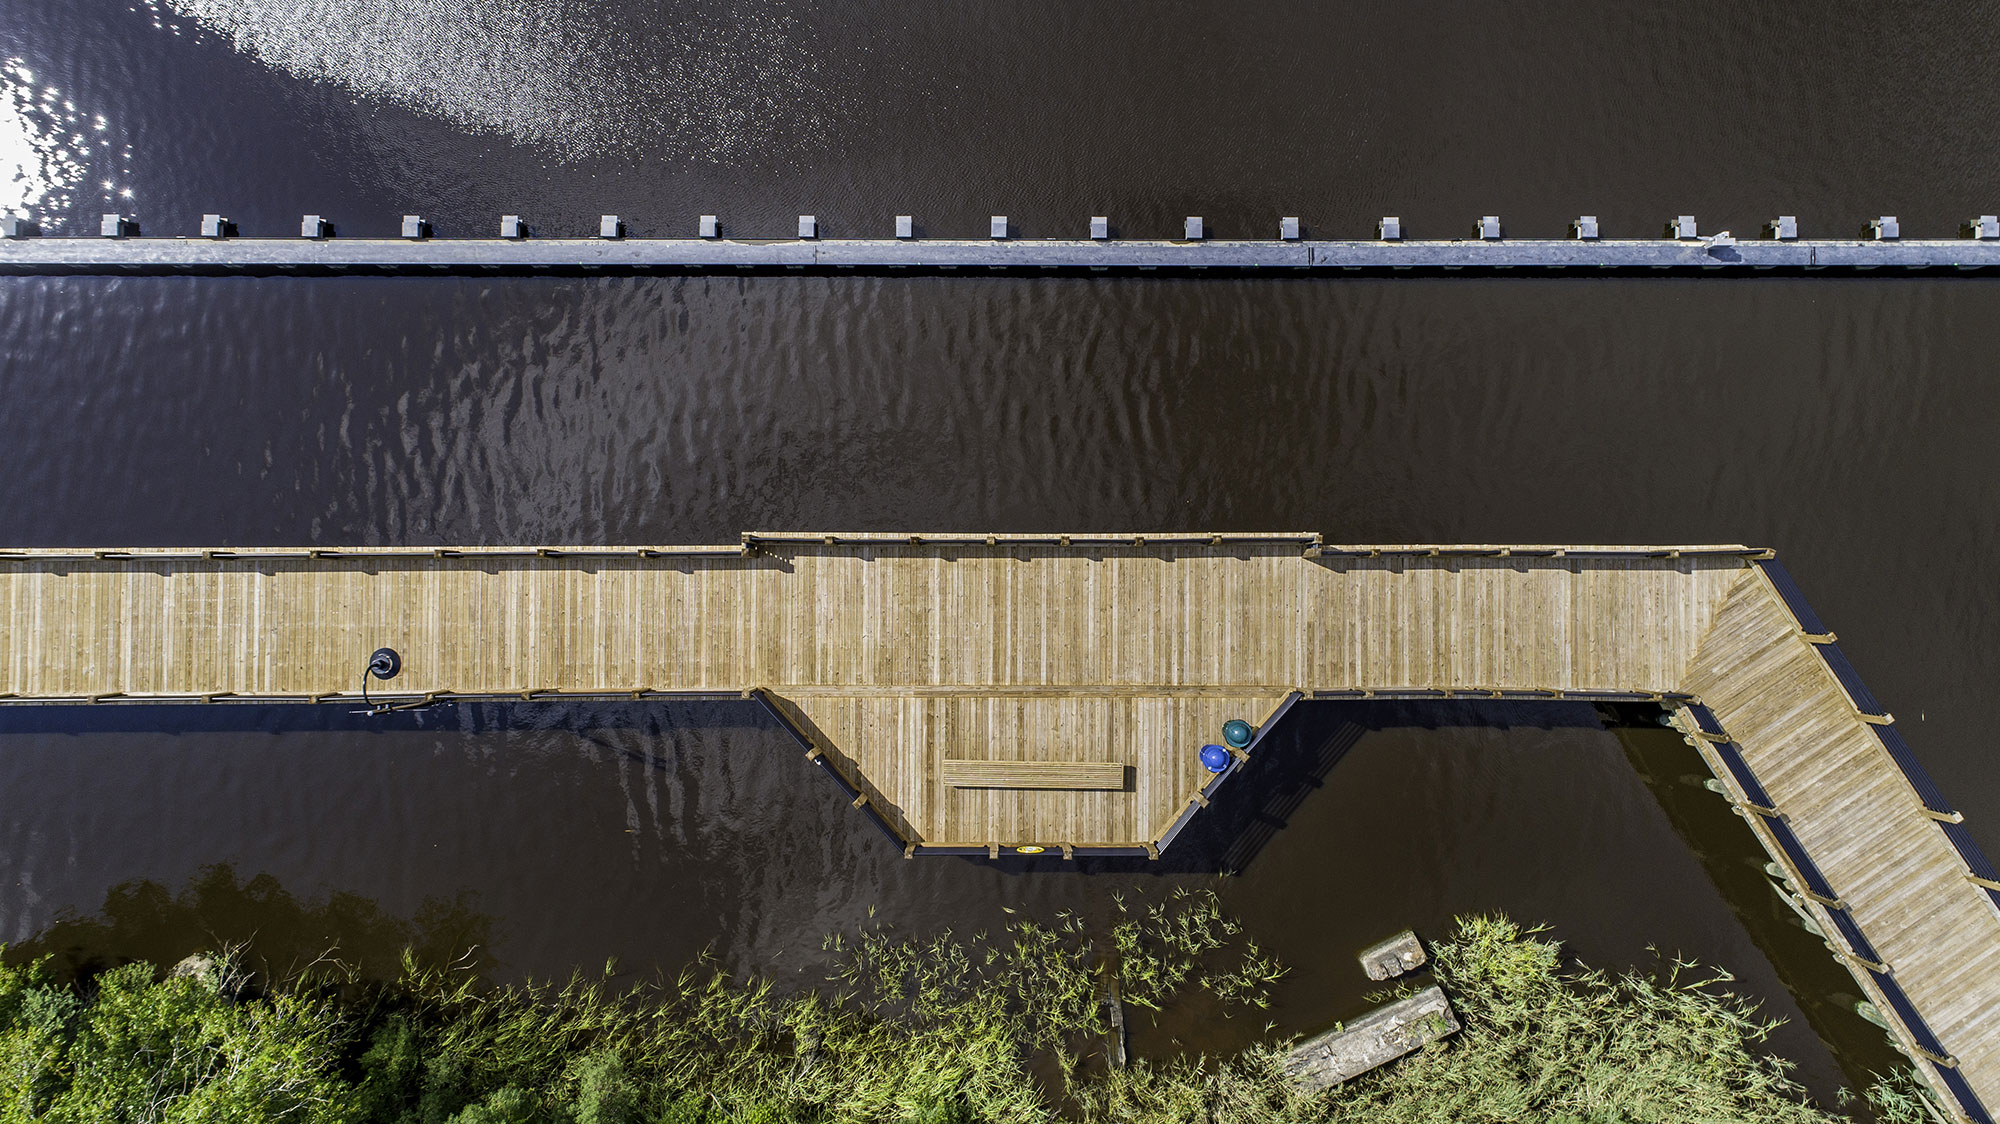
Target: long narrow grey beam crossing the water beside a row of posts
[431, 257]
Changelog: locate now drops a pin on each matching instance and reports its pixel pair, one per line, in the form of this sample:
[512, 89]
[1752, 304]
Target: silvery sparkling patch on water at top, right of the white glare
[713, 83]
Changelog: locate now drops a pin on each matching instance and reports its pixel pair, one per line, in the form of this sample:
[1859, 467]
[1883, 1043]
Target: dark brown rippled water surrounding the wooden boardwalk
[1845, 423]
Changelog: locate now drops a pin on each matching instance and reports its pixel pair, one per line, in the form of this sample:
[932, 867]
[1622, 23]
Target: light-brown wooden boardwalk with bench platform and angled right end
[997, 695]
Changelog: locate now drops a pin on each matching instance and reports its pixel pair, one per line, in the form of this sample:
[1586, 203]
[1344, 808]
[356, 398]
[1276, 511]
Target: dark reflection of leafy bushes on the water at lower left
[277, 933]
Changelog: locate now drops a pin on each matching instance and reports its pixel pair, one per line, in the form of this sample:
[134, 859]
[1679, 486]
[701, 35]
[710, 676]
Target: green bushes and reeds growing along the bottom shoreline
[949, 1031]
